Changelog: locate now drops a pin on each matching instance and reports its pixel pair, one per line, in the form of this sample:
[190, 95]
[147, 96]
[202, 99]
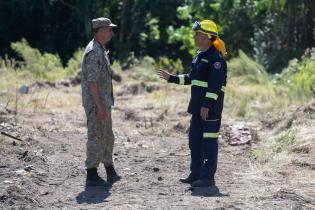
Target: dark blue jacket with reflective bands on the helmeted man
[207, 80]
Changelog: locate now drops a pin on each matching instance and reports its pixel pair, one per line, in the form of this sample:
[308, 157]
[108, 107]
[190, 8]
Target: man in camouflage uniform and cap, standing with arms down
[97, 97]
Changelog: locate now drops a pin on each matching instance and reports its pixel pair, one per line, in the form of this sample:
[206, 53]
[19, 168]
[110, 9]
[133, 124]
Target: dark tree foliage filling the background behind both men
[272, 32]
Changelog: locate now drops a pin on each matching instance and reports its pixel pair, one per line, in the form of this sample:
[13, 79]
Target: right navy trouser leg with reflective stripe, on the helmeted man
[210, 148]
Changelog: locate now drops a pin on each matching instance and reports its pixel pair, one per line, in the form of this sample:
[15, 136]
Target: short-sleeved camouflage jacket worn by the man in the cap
[96, 67]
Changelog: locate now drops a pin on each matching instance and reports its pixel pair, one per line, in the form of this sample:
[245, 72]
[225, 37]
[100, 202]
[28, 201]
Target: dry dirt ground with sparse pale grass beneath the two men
[46, 169]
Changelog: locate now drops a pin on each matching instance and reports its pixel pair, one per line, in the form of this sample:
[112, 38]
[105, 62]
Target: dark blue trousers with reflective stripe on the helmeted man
[203, 145]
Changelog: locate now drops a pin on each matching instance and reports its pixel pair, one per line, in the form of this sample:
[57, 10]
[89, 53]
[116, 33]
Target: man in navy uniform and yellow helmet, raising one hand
[208, 81]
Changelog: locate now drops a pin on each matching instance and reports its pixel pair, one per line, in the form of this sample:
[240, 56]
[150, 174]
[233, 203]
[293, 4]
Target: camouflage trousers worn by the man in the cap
[100, 144]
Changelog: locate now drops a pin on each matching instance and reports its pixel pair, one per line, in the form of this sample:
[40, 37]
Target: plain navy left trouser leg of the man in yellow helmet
[195, 145]
